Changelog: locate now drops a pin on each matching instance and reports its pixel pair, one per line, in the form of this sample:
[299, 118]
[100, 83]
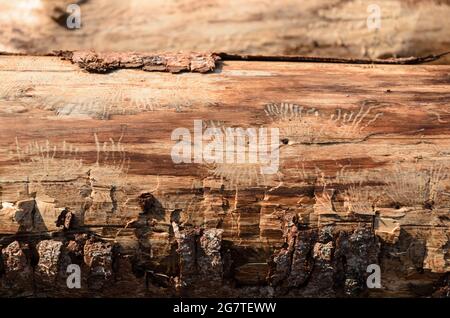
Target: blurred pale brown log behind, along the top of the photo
[336, 28]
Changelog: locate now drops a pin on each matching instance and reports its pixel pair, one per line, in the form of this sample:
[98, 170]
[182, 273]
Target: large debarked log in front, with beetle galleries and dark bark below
[88, 177]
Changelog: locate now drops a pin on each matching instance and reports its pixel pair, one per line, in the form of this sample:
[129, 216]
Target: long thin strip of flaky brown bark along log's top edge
[96, 62]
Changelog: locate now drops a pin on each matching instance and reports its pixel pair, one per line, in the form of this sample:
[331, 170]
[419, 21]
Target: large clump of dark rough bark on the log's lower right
[324, 261]
